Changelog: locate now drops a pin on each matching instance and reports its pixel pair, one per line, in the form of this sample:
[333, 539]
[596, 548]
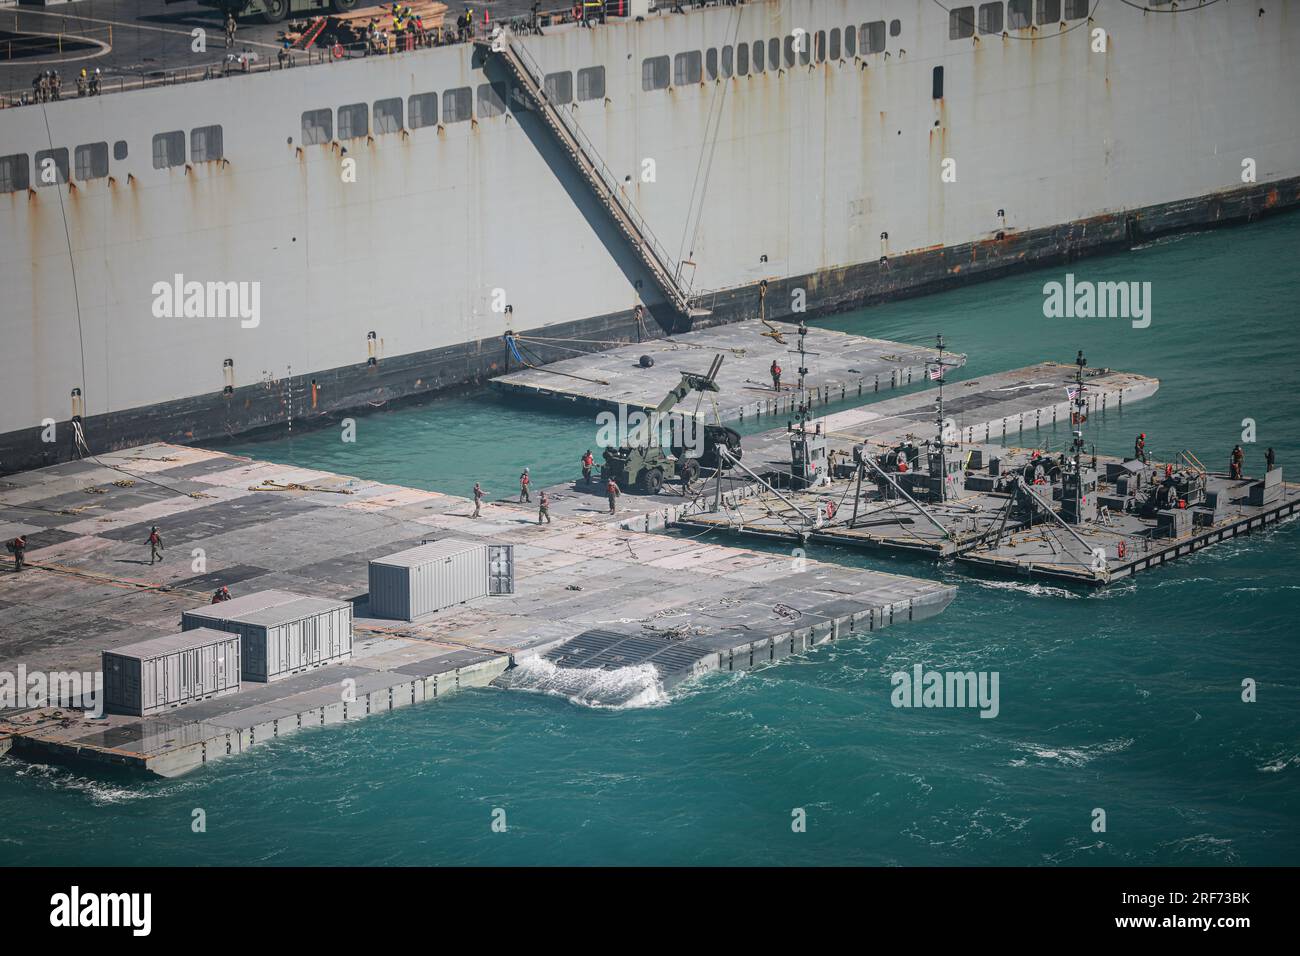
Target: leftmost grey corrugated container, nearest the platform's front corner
[163, 673]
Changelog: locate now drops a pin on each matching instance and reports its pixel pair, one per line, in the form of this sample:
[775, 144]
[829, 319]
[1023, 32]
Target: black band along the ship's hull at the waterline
[322, 397]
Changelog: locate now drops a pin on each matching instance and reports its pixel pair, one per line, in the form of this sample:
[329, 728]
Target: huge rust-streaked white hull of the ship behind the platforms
[825, 181]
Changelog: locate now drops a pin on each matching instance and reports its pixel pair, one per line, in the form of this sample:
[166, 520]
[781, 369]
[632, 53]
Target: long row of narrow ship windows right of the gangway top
[746, 59]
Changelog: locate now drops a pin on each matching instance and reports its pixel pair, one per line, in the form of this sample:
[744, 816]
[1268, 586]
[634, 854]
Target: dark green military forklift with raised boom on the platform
[645, 466]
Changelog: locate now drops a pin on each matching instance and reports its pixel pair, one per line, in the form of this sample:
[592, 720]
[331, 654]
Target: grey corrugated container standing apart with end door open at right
[422, 581]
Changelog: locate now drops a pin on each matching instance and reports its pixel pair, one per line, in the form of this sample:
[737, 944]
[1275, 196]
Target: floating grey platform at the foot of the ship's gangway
[842, 367]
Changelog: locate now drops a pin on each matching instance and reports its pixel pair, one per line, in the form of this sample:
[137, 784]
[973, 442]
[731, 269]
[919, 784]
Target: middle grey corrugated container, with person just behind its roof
[283, 633]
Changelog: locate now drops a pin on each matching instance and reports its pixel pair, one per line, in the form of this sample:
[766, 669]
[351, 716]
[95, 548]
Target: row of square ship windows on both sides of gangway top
[422, 110]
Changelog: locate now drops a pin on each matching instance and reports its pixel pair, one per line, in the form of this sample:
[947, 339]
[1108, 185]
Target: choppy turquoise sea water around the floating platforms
[1128, 700]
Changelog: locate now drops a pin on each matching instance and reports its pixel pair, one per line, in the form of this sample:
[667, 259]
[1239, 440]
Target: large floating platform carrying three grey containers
[592, 600]
